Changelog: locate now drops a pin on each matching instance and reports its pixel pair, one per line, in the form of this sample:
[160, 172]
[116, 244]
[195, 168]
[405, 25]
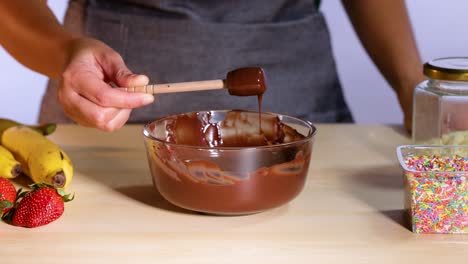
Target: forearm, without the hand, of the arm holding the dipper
[31, 33]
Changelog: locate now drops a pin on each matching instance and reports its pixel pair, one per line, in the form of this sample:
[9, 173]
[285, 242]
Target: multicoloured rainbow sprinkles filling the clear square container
[437, 193]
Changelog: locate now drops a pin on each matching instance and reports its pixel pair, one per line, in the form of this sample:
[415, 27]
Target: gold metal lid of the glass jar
[449, 69]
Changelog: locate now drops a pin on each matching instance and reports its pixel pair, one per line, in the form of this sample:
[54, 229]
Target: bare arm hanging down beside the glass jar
[385, 31]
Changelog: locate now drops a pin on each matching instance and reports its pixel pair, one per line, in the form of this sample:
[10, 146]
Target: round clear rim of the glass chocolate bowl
[308, 124]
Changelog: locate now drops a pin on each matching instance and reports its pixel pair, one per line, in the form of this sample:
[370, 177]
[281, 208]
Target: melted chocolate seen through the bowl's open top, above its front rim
[238, 129]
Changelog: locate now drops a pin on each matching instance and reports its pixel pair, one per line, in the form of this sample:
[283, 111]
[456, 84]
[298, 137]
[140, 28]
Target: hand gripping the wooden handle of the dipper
[84, 90]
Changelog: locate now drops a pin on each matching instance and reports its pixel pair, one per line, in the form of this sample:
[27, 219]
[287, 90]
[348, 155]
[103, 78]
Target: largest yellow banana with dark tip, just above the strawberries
[42, 160]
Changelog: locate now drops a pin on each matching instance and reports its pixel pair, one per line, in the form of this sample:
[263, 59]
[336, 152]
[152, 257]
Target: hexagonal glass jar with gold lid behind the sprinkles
[440, 109]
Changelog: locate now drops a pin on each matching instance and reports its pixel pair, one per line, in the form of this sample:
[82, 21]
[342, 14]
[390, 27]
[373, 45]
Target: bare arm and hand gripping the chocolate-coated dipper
[31, 33]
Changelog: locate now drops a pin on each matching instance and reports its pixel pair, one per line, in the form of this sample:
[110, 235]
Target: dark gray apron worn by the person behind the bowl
[191, 40]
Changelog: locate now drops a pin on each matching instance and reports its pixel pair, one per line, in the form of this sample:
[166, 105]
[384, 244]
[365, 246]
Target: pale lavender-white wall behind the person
[441, 29]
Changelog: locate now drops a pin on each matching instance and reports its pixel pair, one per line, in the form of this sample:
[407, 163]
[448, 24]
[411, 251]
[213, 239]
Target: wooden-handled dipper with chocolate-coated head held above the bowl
[247, 81]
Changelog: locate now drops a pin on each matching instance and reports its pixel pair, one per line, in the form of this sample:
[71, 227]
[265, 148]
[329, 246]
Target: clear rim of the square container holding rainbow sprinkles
[401, 158]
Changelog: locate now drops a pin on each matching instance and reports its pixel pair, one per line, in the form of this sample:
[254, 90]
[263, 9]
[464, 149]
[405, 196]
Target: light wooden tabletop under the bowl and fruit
[351, 211]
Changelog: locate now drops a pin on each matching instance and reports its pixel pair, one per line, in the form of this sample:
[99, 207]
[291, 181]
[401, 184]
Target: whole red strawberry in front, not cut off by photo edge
[40, 206]
